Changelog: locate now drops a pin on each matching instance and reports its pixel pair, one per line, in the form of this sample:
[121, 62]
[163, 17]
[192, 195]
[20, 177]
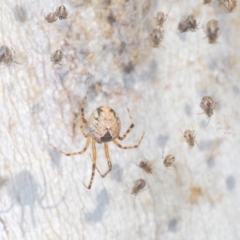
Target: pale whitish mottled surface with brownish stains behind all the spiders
[107, 52]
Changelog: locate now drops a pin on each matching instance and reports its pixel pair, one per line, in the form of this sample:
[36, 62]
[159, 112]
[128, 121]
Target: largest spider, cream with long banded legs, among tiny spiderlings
[104, 126]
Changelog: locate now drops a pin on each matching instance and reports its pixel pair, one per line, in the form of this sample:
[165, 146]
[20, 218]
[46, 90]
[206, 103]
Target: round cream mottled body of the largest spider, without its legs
[104, 124]
